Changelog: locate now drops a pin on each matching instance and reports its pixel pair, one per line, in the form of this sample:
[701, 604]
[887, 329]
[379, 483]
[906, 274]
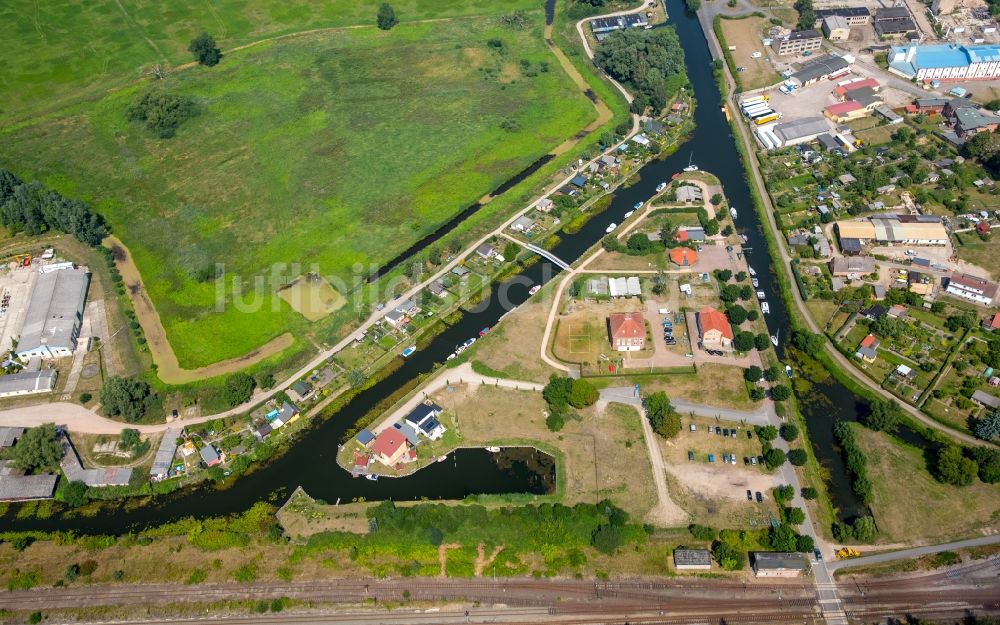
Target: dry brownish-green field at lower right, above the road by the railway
[909, 504]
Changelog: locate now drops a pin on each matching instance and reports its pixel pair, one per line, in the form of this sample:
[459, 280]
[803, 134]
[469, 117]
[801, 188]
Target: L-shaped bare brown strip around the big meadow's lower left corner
[168, 368]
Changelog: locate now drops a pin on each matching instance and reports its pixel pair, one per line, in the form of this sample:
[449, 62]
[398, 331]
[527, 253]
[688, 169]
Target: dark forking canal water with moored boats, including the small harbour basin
[311, 461]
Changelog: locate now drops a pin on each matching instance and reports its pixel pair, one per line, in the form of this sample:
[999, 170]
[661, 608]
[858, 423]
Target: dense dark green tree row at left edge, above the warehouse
[34, 209]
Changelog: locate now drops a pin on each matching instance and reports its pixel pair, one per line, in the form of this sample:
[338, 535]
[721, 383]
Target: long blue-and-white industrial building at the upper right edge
[946, 62]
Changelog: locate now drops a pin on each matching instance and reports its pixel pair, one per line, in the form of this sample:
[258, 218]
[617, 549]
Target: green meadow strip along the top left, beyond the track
[61, 51]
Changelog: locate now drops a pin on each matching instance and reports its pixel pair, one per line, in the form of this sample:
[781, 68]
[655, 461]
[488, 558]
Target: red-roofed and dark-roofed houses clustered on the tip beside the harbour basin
[397, 445]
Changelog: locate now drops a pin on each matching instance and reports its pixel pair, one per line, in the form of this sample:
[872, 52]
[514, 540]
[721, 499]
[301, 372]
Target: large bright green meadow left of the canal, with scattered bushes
[324, 153]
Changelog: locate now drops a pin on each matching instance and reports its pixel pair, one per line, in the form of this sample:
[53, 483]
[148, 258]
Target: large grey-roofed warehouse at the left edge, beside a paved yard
[55, 313]
